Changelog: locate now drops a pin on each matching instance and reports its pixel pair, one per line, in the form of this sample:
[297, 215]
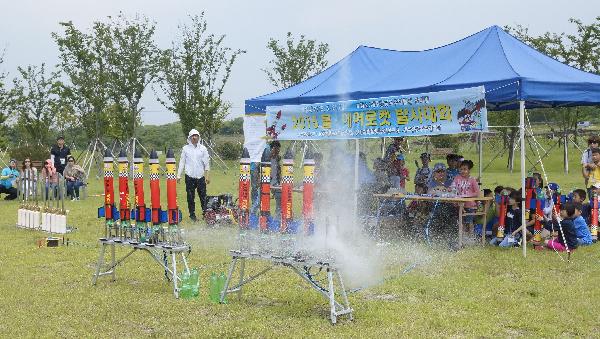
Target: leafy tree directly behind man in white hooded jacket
[194, 76]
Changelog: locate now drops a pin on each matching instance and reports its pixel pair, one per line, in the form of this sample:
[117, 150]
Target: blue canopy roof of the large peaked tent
[509, 69]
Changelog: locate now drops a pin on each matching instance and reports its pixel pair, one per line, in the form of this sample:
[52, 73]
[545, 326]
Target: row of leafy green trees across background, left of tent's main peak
[104, 70]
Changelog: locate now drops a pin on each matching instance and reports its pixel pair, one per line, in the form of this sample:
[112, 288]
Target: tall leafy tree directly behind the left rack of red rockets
[132, 62]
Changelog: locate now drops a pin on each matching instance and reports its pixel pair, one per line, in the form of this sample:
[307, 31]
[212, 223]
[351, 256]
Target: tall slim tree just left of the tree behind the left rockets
[82, 60]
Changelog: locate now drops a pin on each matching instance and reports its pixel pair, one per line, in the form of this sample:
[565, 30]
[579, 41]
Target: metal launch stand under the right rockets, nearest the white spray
[302, 267]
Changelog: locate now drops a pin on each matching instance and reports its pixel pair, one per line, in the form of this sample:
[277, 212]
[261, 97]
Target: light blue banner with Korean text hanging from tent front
[447, 112]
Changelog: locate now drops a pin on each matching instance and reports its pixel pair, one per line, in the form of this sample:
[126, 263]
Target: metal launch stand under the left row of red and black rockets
[164, 254]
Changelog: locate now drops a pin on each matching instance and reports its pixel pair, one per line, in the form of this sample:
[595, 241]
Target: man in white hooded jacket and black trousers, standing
[196, 163]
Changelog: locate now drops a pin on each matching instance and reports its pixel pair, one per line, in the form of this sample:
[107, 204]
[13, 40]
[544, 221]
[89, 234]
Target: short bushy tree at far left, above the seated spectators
[36, 102]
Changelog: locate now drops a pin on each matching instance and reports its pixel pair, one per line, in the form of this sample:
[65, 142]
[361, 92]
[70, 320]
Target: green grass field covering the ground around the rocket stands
[476, 292]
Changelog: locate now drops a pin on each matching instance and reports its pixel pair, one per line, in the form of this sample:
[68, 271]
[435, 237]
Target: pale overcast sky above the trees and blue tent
[26, 25]
